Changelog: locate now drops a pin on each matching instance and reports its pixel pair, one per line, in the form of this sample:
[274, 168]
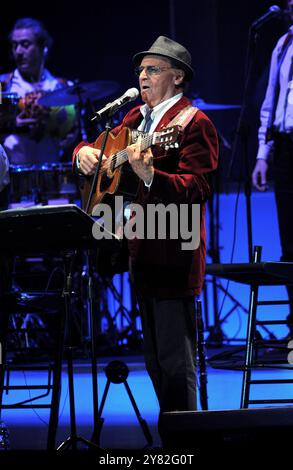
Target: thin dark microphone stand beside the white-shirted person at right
[242, 132]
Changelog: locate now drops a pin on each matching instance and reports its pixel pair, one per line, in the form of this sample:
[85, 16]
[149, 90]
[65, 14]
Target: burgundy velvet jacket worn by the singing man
[161, 268]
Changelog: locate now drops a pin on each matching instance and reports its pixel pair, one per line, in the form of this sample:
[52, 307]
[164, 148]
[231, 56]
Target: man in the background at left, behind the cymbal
[41, 134]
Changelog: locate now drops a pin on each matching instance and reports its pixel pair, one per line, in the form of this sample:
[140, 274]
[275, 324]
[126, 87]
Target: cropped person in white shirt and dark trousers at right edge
[276, 143]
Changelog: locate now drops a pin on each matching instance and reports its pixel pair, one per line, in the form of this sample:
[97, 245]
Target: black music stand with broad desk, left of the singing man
[64, 228]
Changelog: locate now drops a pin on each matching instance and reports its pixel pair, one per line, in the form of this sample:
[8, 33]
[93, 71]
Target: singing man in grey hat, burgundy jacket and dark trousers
[167, 278]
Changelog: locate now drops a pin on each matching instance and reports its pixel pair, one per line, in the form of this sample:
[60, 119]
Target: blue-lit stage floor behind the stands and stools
[121, 430]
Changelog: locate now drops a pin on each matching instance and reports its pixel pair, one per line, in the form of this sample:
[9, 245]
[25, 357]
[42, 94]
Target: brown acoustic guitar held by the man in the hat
[116, 175]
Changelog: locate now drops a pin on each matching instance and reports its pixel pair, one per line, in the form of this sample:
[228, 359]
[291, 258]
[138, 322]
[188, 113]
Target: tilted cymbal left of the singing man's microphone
[79, 92]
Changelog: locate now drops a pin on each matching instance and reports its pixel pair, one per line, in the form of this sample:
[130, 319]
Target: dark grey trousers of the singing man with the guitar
[169, 335]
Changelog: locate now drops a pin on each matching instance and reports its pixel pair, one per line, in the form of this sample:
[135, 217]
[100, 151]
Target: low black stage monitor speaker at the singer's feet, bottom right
[228, 429]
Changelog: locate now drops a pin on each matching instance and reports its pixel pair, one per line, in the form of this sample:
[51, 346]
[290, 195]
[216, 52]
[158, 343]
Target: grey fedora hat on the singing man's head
[166, 47]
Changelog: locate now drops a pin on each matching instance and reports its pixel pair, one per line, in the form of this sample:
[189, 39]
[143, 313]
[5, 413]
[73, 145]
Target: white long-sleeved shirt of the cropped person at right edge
[283, 121]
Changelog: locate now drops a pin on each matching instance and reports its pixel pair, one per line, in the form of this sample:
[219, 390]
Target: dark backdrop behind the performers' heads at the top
[96, 40]
